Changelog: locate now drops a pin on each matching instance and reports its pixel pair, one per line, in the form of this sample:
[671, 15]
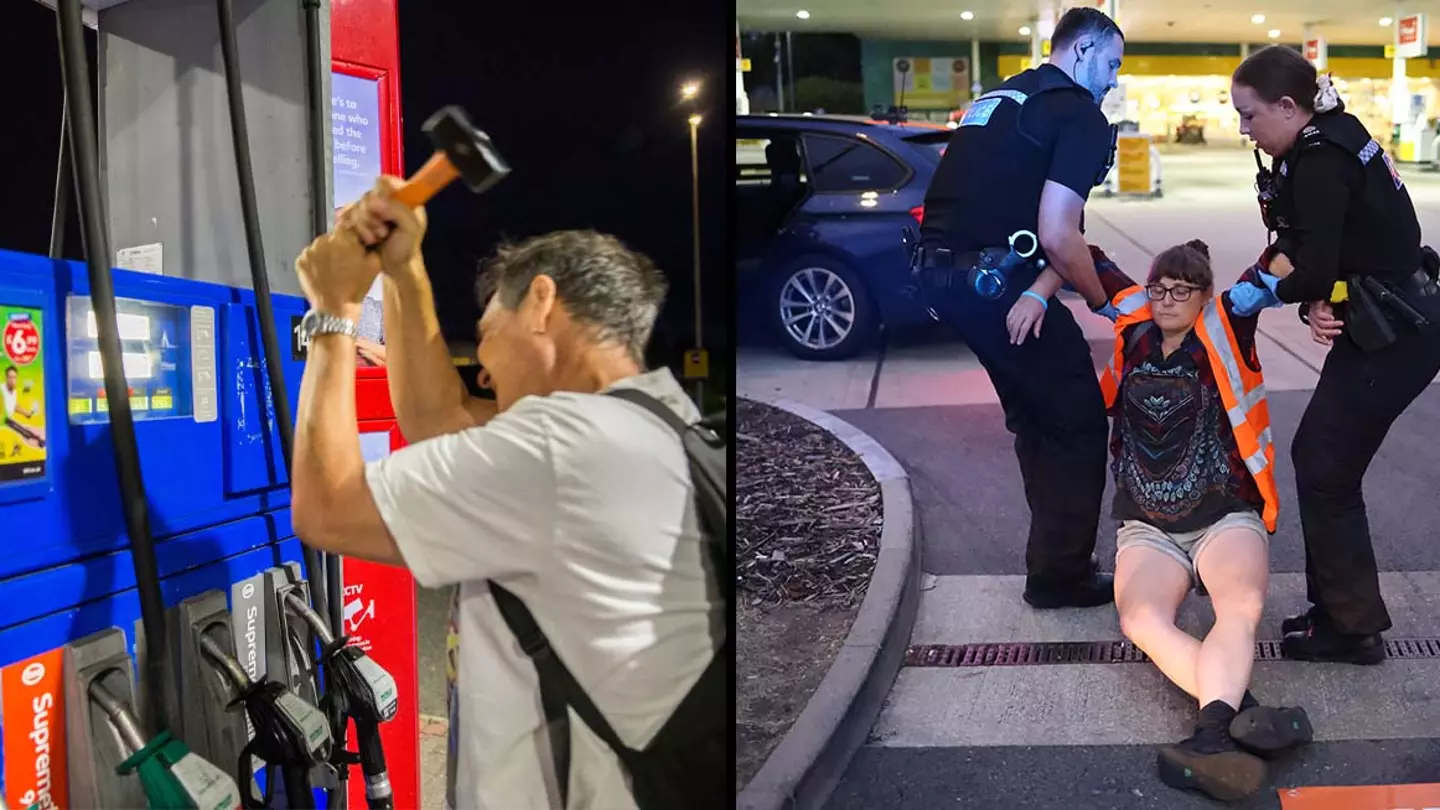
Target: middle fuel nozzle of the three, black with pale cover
[290, 734]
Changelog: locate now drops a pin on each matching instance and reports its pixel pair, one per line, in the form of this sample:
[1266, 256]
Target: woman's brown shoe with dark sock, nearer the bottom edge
[1210, 762]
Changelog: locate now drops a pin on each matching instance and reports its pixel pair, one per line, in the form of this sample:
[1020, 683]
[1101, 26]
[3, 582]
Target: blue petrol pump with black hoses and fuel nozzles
[161, 625]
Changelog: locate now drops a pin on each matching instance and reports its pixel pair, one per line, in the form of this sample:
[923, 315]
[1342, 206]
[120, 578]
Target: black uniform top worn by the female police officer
[1350, 220]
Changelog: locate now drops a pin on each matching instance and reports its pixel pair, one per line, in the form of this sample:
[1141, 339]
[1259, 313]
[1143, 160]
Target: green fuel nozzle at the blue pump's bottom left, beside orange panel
[172, 776]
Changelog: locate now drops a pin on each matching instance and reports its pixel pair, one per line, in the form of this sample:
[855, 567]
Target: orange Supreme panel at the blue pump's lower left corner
[32, 733]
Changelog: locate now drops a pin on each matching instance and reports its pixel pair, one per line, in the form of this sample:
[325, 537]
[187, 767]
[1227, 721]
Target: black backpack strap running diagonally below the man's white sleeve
[558, 690]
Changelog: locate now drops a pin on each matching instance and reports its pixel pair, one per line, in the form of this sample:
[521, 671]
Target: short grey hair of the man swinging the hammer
[606, 286]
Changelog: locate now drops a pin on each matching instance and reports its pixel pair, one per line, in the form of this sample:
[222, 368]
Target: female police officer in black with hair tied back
[1343, 215]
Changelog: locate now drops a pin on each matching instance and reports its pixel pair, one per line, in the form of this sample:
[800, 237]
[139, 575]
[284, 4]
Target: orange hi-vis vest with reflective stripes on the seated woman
[1242, 390]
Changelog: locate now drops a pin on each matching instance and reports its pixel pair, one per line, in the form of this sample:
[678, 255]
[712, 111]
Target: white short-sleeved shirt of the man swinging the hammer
[582, 507]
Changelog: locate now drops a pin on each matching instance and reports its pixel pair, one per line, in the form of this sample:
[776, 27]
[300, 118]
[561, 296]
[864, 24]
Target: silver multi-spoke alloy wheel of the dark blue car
[822, 311]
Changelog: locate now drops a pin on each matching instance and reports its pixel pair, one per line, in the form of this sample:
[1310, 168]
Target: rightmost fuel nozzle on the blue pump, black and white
[361, 691]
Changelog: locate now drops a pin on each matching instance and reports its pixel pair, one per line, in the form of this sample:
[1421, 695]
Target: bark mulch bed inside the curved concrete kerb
[809, 531]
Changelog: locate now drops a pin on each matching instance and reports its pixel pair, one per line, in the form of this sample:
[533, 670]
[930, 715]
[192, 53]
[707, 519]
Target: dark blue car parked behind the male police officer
[822, 208]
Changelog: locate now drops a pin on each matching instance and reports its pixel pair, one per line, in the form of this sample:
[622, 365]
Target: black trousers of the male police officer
[1053, 404]
